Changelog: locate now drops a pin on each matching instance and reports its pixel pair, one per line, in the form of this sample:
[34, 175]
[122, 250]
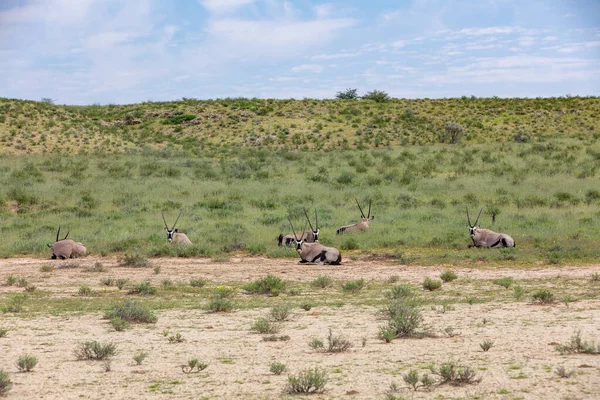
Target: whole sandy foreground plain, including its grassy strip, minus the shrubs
[523, 362]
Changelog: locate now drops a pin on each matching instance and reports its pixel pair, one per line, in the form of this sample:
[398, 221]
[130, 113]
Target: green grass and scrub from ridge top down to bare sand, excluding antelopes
[237, 199]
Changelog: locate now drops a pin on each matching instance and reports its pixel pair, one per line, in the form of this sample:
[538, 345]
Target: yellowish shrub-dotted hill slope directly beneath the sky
[198, 127]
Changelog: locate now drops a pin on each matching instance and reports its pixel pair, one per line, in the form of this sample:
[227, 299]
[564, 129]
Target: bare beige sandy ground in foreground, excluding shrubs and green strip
[520, 365]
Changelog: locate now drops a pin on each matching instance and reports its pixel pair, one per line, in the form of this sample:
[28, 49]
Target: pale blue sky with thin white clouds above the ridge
[114, 51]
